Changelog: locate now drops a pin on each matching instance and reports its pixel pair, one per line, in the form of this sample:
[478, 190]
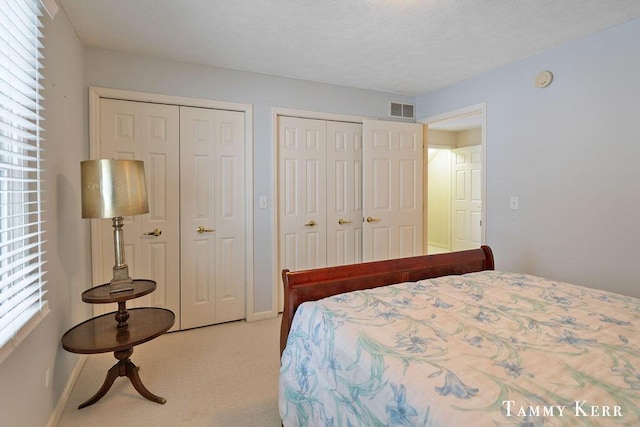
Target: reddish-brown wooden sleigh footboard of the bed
[315, 284]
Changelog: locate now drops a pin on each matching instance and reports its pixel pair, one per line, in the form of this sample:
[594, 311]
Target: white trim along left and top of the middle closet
[277, 292]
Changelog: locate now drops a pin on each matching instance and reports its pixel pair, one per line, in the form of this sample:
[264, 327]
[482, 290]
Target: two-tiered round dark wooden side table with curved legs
[104, 334]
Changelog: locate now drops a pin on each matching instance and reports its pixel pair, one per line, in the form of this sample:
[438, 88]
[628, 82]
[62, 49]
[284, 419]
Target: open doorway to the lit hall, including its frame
[455, 174]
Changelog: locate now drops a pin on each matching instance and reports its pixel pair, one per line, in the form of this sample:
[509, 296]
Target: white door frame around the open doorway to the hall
[467, 111]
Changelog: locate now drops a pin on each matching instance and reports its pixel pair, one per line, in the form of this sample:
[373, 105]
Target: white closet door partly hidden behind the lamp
[147, 132]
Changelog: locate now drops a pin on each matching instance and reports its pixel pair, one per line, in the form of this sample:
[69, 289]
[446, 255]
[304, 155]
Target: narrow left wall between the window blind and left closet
[24, 399]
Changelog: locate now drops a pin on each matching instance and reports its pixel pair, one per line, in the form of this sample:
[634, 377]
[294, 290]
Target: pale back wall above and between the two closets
[130, 72]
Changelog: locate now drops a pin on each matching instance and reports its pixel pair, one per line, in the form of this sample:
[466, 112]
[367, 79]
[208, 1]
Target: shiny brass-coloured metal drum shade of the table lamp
[113, 188]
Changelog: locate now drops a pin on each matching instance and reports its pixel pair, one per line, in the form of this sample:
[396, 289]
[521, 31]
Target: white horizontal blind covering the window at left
[21, 228]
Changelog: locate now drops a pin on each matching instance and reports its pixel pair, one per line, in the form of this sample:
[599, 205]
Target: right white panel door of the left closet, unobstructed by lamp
[212, 218]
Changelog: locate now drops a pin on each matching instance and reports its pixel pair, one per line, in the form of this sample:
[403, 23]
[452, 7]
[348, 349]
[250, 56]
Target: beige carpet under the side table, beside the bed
[222, 375]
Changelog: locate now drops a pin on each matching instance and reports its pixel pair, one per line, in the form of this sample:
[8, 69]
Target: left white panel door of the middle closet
[302, 194]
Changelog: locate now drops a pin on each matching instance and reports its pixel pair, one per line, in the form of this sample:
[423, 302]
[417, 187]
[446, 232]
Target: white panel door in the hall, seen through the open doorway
[466, 208]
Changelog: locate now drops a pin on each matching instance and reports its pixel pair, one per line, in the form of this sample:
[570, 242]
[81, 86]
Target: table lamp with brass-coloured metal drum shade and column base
[114, 188]
